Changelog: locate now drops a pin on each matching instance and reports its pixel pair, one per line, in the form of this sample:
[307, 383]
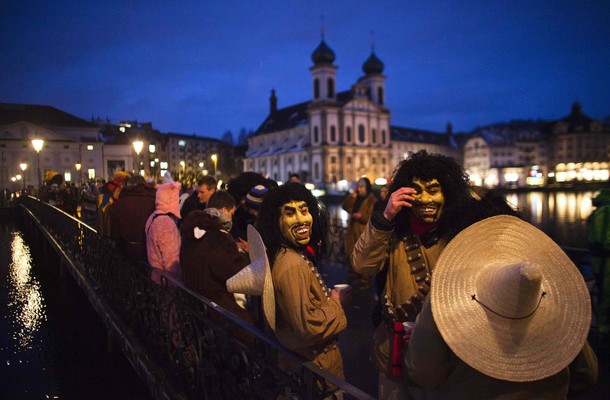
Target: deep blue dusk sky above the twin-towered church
[208, 66]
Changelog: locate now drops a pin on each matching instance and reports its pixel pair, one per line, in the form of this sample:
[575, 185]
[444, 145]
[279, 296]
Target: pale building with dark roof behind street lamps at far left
[71, 145]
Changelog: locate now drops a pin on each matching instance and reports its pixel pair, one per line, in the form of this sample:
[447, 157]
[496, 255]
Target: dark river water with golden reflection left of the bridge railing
[52, 343]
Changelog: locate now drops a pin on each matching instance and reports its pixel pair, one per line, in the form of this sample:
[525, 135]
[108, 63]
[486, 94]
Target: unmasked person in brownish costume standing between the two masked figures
[359, 205]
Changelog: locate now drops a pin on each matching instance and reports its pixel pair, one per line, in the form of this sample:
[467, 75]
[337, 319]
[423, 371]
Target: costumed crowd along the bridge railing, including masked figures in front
[474, 302]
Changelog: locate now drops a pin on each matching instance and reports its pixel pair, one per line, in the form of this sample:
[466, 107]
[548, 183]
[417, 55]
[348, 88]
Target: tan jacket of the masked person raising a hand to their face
[369, 256]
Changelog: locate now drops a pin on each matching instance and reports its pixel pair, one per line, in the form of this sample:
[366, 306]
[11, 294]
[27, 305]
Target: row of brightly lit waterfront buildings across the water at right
[539, 153]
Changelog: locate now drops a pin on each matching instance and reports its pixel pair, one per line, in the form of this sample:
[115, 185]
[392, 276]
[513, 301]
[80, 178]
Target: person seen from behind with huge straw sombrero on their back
[507, 317]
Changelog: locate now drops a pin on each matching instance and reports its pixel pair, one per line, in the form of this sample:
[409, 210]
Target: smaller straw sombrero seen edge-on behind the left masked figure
[255, 278]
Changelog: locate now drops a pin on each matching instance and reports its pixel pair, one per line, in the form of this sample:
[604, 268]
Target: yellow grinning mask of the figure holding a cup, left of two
[296, 222]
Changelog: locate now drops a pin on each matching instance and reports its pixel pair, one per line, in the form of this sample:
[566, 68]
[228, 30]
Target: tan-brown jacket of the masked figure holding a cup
[307, 322]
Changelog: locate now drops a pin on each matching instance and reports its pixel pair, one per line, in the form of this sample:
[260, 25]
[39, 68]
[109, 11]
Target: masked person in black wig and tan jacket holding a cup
[309, 315]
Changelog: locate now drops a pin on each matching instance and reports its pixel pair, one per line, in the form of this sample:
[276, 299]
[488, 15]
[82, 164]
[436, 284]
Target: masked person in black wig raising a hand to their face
[429, 202]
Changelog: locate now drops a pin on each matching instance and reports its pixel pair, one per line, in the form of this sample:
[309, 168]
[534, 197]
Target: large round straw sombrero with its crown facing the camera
[509, 302]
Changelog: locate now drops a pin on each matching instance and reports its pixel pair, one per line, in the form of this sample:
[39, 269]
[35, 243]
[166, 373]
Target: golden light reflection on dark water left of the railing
[25, 297]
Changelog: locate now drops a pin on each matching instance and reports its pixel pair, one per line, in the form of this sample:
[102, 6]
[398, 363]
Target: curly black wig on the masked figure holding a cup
[268, 219]
